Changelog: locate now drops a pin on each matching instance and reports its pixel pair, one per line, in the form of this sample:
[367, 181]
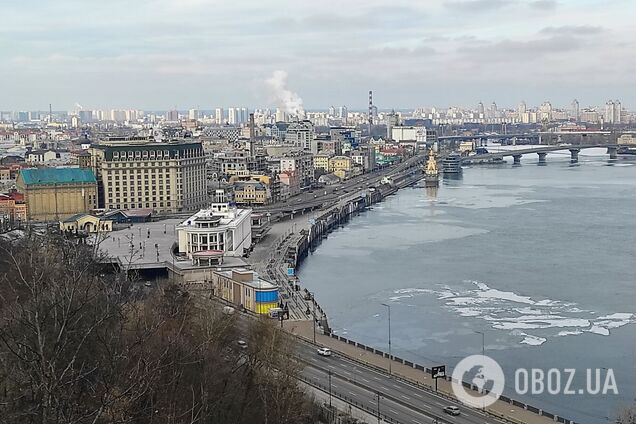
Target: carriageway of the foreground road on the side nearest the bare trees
[369, 399]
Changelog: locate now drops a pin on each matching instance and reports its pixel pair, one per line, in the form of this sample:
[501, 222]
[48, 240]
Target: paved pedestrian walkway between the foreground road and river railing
[500, 409]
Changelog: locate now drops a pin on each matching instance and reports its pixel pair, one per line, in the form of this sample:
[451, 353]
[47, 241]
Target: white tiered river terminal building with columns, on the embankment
[221, 228]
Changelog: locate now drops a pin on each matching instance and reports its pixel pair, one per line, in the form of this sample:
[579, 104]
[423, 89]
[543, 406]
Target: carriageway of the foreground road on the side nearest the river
[383, 382]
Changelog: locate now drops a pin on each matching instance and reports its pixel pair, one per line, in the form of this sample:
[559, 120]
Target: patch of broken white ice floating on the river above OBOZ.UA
[521, 315]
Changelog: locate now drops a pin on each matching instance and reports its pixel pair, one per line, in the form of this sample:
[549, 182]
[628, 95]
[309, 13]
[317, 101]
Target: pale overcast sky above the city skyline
[158, 54]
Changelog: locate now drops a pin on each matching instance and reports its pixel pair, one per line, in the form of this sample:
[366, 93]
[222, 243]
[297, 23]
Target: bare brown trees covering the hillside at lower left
[78, 344]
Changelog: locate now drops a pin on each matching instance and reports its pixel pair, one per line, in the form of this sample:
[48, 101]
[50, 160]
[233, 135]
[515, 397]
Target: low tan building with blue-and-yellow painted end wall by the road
[245, 288]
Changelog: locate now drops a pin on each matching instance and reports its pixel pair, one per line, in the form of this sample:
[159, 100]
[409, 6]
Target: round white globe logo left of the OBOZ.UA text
[486, 379]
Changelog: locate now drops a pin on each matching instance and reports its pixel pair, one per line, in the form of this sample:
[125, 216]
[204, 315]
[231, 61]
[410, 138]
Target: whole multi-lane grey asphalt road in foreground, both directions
[401, 401]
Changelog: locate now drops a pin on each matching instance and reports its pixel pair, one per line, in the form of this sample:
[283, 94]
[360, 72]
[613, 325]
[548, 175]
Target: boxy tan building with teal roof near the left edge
[57, 193]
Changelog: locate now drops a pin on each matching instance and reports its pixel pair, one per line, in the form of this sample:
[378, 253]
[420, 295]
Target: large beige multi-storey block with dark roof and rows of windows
[139, 172]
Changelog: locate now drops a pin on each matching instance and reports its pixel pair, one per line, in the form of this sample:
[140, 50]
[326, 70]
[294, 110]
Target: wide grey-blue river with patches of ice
[538, 258]
